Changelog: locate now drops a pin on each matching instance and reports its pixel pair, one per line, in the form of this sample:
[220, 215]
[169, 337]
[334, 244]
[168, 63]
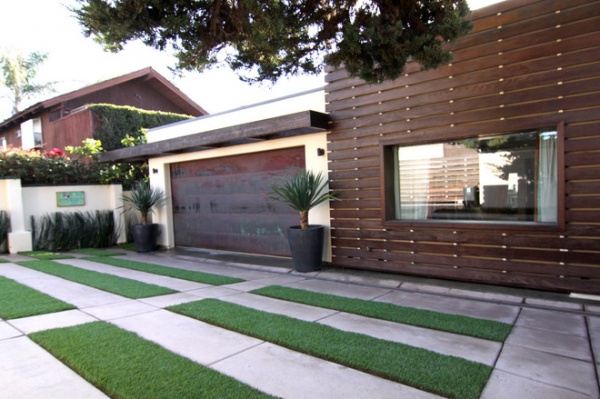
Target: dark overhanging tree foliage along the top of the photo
[267, 39]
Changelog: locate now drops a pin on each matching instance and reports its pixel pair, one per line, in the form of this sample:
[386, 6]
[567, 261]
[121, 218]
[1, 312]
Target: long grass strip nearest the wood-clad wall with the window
[457, 324]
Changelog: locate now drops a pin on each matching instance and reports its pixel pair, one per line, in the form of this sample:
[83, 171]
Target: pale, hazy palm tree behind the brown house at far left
[18, 74]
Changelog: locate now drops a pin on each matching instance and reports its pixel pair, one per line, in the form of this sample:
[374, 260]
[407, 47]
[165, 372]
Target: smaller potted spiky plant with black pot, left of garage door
[145, 199]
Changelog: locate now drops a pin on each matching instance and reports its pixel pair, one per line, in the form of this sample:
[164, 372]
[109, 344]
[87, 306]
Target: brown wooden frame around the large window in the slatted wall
[387, 166]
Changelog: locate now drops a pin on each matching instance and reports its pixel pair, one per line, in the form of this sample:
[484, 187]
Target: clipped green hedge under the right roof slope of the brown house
[118, 121]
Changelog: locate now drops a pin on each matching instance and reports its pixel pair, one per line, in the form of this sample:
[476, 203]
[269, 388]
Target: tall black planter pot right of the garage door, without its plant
[306, 247]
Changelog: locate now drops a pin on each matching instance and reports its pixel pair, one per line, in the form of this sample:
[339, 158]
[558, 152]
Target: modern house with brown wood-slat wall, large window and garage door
[485, 170]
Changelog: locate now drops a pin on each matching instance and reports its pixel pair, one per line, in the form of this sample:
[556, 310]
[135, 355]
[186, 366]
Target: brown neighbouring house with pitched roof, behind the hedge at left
[65, 121]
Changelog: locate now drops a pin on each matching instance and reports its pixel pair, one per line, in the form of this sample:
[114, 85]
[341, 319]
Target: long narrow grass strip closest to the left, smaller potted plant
[190, 275]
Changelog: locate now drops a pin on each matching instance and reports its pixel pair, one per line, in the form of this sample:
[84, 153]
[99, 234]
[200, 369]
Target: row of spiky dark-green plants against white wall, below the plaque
[65, 231]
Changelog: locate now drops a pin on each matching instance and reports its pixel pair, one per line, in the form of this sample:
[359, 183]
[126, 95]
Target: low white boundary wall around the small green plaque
[23, 202]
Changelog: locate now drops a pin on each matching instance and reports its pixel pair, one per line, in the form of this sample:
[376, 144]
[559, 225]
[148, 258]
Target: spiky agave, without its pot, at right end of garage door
[303, 192]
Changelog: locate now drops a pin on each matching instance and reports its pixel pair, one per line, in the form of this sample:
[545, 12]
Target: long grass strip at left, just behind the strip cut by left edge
[117, 285]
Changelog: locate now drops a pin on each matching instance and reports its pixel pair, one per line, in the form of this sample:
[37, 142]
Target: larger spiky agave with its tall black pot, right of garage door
[303, 192]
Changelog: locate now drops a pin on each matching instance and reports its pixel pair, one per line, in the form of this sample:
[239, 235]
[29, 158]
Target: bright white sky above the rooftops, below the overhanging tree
[75, 61]
